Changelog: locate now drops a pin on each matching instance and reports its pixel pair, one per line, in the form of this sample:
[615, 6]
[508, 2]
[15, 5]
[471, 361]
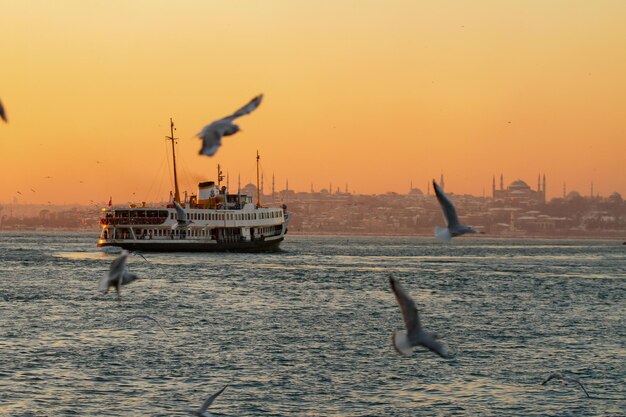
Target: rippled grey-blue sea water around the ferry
[307, 332]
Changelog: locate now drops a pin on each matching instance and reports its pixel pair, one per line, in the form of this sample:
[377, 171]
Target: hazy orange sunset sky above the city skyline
[373, 94]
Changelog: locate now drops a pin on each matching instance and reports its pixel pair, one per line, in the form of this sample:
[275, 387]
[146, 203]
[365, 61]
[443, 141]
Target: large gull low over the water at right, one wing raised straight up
[405, 341]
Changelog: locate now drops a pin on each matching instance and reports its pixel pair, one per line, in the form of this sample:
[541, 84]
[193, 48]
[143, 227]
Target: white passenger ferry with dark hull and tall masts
[212, 220]
